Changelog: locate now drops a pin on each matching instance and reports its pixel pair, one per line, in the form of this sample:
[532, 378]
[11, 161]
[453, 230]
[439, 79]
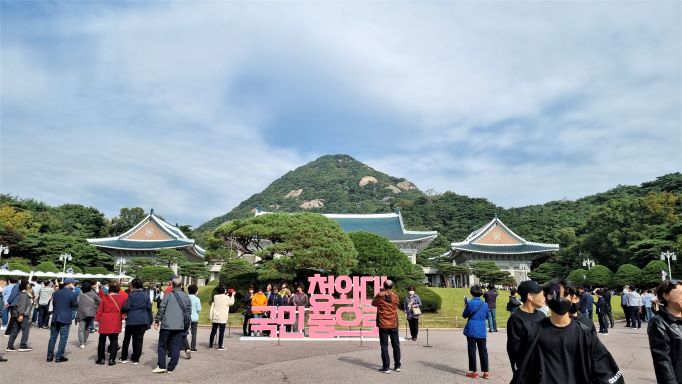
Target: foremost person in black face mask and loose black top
[563, 351]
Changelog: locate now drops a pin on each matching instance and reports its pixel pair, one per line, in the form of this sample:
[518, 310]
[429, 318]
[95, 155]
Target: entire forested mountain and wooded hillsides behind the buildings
[627, 224]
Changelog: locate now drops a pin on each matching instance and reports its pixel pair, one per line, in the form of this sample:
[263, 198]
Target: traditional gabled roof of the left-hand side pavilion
[152, 233]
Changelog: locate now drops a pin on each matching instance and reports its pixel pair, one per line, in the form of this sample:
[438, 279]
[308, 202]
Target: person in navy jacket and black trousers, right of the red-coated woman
[139, 318]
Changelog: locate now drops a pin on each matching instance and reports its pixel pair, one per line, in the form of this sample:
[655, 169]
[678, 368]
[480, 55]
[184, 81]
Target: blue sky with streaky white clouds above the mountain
[191, 107]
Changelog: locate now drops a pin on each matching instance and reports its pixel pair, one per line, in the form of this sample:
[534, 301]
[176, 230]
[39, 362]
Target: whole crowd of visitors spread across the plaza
[551, 336]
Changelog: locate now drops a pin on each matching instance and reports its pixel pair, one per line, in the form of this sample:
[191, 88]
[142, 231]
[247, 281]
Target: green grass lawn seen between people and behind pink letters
[450, 315]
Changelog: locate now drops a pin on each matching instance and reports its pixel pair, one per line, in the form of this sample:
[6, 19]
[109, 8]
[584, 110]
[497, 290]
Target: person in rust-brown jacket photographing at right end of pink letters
[387, 303]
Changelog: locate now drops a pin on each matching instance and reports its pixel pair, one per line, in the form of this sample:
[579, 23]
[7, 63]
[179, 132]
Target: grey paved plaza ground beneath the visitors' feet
[300, 362]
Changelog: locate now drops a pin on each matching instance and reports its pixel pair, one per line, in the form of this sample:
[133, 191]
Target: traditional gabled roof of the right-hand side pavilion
[497, 238]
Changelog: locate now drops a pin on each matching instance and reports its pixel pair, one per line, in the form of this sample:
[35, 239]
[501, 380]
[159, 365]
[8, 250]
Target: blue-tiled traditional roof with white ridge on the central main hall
[387, 225]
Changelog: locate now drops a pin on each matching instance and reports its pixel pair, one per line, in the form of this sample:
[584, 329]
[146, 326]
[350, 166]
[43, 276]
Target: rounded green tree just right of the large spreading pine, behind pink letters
[378, 256]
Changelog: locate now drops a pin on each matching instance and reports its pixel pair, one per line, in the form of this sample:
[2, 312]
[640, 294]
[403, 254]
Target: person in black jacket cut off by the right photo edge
[665, 339]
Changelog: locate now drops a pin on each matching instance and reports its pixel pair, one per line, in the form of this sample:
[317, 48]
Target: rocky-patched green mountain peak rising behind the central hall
[333, 183]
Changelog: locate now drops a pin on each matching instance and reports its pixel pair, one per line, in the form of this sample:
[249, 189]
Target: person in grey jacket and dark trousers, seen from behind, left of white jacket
[174, 319]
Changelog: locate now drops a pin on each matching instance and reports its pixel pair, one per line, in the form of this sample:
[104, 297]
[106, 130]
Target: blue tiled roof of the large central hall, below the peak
[387, 227]
